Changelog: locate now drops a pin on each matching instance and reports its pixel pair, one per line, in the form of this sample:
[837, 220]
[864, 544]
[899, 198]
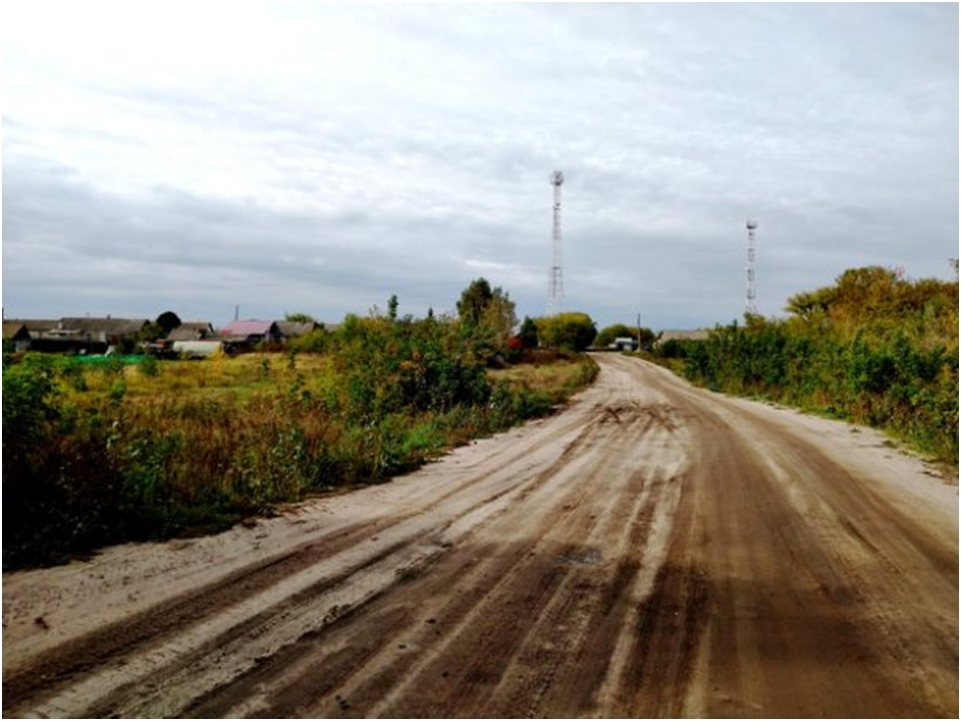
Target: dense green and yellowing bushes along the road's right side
[875, 349]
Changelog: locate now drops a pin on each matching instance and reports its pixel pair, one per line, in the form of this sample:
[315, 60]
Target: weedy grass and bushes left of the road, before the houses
[113, 451]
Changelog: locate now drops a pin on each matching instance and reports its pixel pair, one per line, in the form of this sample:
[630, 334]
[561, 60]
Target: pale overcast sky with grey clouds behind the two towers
[321, 157]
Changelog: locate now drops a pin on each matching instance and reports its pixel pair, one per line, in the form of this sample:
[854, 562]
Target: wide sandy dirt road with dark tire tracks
[654, 551]
